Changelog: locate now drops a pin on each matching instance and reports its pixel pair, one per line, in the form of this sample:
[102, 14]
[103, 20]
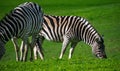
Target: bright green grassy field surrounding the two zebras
[104, 15]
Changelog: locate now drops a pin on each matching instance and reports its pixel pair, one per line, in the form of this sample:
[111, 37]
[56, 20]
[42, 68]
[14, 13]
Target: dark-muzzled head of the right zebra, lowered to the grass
[98, 48]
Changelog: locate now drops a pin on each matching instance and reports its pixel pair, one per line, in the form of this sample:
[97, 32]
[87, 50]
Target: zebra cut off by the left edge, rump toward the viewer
[23, 21]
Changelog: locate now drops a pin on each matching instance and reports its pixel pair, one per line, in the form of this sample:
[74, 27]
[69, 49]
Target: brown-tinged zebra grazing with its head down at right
[71, 29]
